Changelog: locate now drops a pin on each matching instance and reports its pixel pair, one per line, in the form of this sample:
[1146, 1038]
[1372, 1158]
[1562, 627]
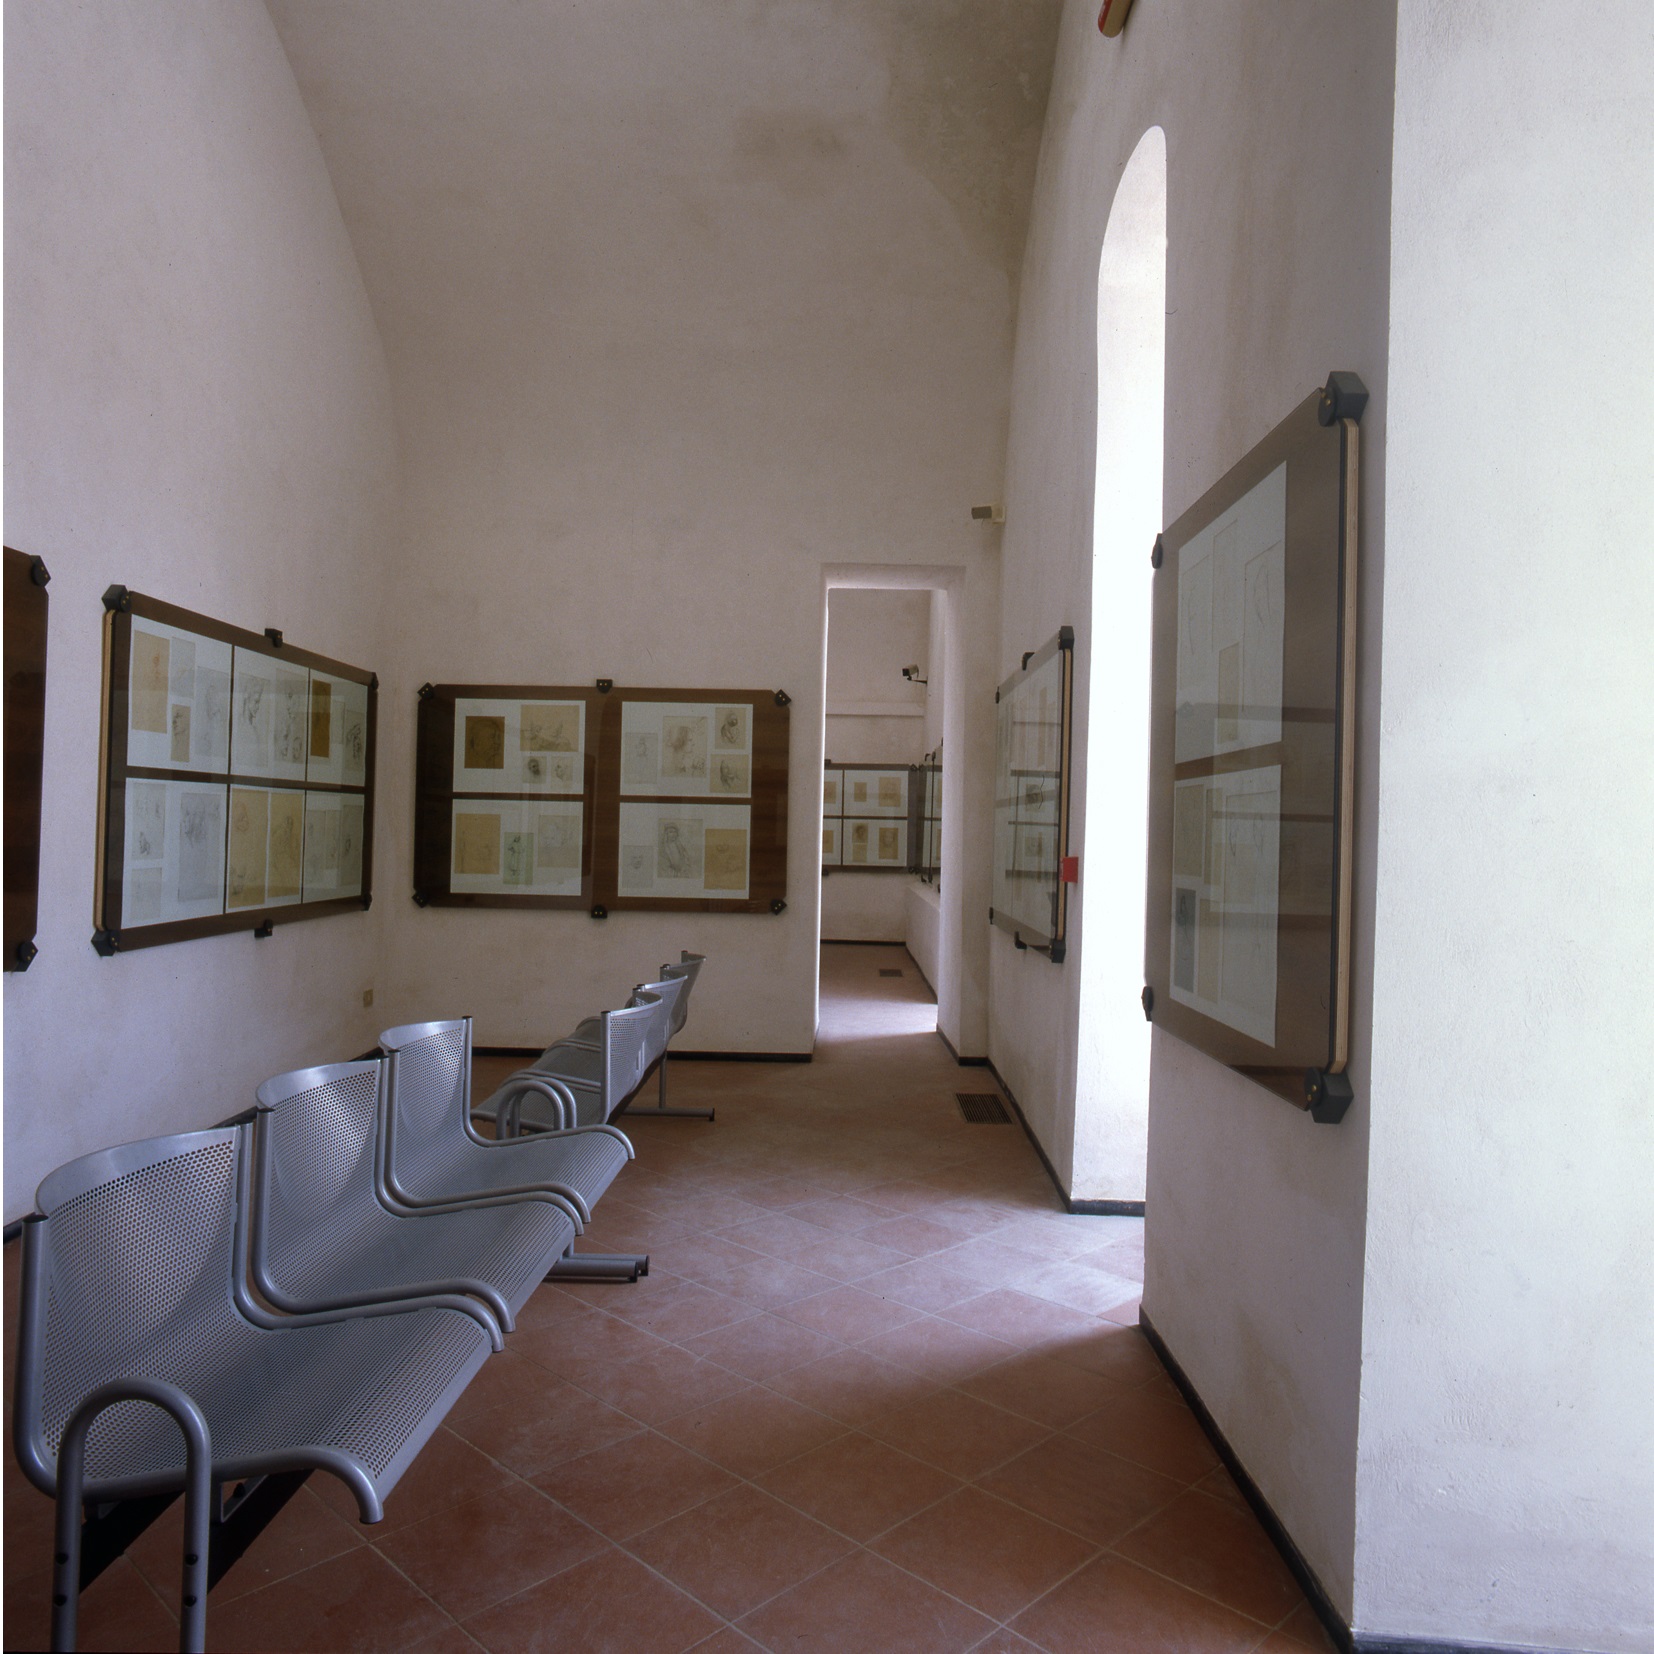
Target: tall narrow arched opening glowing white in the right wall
[1111, 1124]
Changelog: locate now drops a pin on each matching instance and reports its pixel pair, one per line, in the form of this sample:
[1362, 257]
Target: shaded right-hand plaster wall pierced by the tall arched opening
[1278, 138]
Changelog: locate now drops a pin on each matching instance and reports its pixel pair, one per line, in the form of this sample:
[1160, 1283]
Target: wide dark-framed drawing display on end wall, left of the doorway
[601, 798]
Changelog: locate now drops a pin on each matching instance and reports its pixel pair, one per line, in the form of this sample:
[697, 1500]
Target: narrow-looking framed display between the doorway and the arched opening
[1031, 798]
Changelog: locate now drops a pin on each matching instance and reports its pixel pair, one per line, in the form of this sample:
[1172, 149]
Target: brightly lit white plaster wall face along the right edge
[1508, 1446]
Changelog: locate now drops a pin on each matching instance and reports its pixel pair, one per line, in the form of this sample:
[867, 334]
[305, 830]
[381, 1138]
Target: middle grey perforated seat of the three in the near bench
[323, 1238]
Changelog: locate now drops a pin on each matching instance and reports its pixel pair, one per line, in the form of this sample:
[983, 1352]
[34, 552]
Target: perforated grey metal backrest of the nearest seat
[128, 1273]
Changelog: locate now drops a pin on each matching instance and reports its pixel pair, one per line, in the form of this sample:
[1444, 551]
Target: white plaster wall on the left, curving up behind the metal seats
[196, 408]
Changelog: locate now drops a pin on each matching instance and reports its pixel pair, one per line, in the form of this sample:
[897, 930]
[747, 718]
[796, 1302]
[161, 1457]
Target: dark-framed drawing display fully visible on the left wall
[239, 780]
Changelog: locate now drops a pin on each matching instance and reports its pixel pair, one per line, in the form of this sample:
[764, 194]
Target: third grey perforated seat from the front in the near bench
[431, 1155]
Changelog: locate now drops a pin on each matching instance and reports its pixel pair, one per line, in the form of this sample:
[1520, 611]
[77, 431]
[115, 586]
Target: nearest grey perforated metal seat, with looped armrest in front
[135, 1288]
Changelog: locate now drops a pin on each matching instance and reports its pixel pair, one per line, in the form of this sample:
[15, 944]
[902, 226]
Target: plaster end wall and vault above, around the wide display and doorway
[681, 312]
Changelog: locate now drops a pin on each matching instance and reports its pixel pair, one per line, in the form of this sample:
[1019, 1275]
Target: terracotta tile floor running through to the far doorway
[877, 1392]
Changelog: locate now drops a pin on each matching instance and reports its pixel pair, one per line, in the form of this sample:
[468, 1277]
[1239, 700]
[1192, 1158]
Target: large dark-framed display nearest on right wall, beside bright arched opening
[1253, 760]
